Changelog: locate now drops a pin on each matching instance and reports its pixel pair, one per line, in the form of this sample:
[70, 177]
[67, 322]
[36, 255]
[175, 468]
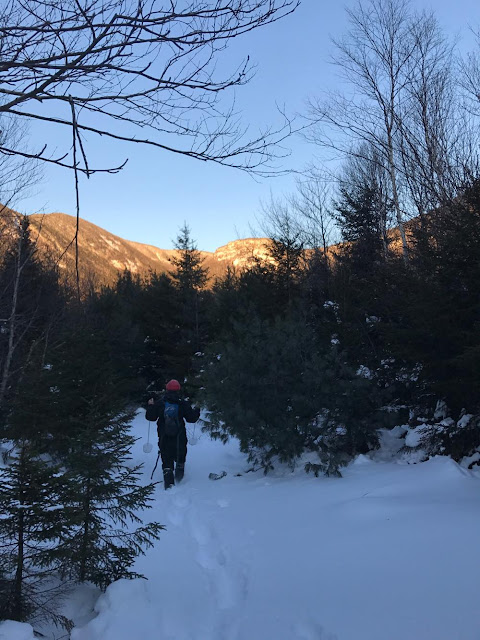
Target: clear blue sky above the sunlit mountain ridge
[157, 191]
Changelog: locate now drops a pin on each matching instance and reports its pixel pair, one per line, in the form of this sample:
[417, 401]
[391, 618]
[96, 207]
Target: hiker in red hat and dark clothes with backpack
[171, 412]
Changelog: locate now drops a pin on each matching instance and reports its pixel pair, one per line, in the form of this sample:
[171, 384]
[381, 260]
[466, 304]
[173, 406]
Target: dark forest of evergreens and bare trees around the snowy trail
[364, 316]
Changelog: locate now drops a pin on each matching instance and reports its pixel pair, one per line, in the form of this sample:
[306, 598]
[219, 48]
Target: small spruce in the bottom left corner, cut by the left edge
[32, 526]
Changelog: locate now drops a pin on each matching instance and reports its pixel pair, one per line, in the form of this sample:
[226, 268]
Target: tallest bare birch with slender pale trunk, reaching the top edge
[374, 57]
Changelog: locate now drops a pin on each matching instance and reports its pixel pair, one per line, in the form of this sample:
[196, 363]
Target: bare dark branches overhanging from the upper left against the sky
[143, 71]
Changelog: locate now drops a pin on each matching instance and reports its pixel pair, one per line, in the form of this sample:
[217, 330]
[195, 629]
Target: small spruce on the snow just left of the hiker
[104, 498]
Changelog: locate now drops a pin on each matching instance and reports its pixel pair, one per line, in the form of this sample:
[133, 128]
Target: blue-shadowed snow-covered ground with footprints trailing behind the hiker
[389, 552]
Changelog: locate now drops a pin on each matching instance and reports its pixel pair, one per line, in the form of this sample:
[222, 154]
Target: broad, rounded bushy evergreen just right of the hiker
[274, 387]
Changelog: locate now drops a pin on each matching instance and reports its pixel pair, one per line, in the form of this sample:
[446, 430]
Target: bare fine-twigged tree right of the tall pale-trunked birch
[438, 144]
